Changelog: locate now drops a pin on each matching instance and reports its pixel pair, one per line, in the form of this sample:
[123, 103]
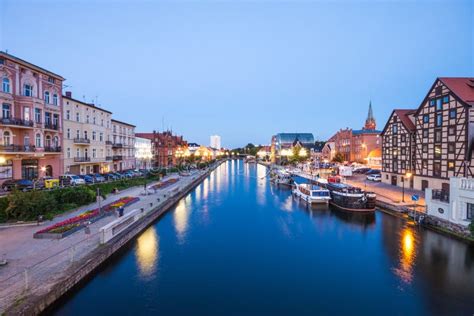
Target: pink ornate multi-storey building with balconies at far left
[30, 122]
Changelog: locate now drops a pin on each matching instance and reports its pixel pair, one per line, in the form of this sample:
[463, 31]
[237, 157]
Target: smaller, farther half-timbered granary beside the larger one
[398, 148]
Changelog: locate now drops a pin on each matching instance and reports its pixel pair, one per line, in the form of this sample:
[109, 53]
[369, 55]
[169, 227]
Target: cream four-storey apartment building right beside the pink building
[87, 137]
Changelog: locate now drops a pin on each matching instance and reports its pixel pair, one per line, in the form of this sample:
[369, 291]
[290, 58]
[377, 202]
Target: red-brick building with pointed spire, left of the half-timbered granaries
[356, 145]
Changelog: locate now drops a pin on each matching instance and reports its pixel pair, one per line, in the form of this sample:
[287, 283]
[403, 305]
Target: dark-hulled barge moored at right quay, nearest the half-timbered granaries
[348, 197]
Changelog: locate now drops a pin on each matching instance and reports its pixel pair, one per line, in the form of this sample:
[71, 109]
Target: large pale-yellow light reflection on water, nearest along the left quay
[147, 252]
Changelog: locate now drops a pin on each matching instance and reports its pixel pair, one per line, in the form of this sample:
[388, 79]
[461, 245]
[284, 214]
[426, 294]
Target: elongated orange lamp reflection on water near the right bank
[407, 255]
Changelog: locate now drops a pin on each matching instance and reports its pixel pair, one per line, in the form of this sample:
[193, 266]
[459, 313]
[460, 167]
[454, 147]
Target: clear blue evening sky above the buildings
[244, 69]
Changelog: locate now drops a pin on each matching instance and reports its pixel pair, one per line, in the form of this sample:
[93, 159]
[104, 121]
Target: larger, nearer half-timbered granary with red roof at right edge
[444, 133]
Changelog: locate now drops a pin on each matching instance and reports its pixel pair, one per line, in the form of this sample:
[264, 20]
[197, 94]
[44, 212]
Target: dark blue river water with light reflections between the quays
[238, 245]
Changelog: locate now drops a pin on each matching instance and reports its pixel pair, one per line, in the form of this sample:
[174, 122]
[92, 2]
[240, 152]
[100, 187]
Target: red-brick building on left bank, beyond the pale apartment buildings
[164, 147]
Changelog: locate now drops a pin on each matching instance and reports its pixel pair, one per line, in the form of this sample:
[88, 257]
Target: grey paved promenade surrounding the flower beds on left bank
[38, 263]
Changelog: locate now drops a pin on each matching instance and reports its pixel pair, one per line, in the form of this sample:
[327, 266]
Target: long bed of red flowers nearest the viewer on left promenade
[73, 224]
